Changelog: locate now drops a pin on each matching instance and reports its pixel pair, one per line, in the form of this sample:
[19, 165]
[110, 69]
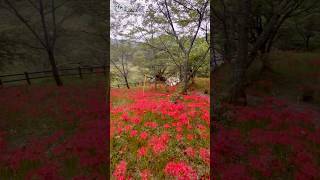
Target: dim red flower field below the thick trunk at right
[274, 140]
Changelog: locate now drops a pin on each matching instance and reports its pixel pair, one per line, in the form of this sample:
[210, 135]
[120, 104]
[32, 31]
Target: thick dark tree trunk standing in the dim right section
[237, 95]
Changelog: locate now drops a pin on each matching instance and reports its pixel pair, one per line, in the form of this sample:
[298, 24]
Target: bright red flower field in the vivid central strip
[154, 137]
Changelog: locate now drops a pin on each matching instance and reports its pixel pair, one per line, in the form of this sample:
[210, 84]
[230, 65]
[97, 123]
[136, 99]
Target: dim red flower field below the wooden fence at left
[49, 132]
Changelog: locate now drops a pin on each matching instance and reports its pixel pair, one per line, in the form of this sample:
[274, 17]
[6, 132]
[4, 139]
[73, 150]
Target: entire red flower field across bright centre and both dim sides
[48, 132]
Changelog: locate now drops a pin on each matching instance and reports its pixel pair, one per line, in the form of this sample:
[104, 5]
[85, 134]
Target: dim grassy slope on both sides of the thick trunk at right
[293, 72]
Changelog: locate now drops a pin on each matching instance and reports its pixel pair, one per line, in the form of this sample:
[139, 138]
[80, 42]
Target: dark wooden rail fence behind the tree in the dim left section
[28, 76]
